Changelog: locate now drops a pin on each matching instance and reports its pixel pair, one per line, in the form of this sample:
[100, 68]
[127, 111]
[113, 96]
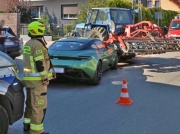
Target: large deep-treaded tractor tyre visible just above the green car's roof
[100, 33]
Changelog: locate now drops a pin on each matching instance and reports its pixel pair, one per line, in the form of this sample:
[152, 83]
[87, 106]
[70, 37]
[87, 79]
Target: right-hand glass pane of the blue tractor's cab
[121, 16]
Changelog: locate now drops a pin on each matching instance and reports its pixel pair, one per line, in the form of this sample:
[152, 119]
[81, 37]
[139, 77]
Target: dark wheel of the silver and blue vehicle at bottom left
[4, 121]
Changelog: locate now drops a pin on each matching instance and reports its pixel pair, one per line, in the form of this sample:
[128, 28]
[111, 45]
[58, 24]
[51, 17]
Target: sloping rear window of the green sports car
[67, 45]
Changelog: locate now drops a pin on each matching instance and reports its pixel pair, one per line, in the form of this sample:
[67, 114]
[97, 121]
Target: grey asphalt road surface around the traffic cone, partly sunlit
[153, 84]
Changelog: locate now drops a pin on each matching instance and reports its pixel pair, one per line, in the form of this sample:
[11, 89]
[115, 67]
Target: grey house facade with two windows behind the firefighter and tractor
[58, 11]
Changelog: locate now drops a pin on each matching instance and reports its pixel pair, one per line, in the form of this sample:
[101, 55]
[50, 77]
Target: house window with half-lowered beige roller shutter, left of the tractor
[69, 11]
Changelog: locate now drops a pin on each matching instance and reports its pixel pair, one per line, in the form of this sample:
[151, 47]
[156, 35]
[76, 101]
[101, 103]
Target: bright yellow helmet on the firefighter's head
[35, 29]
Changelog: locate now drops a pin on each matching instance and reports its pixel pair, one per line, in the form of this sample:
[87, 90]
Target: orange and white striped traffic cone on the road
[124, 97]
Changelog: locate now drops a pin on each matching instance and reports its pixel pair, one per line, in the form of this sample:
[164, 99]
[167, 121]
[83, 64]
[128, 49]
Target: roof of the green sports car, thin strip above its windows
[80, 39]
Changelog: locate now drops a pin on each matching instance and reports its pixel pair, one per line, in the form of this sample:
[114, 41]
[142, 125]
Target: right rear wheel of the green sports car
[98, 75]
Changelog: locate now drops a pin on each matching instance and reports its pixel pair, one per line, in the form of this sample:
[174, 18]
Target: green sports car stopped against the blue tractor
[82, 58]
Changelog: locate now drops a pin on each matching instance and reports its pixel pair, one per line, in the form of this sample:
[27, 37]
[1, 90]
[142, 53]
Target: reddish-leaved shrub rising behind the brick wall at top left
[20, 6]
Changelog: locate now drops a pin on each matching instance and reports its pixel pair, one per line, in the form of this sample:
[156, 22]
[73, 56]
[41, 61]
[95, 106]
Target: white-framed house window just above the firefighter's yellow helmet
[36, 12]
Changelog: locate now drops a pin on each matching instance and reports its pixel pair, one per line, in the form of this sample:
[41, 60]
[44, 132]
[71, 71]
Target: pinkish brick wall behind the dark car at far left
[12, 20]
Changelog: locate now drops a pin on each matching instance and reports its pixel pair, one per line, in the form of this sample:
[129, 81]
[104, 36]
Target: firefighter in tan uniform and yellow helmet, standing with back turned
[38, 71]
